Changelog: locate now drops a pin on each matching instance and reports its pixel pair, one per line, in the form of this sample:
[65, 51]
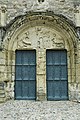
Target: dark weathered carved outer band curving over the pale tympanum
[43, 18]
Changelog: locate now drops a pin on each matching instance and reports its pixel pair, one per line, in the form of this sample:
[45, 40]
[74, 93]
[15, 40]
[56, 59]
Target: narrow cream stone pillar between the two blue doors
[41, 75]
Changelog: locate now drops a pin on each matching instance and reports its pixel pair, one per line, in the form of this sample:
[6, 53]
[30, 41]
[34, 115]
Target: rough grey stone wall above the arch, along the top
[18, 7]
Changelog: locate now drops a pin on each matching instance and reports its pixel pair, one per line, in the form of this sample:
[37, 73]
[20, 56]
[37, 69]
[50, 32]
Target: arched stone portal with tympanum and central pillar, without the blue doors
[40, 32]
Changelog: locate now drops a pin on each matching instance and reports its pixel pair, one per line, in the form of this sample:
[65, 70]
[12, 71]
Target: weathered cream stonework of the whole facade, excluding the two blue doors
[40, 31]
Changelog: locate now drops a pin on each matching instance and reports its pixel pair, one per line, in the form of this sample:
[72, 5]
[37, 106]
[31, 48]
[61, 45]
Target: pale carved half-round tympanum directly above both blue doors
[40, 38]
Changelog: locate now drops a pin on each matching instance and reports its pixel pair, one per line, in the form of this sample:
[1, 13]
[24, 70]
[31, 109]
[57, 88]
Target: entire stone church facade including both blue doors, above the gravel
[40, 50]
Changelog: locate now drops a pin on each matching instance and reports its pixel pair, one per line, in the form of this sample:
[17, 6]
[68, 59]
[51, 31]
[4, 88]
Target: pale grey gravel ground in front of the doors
[39, 110]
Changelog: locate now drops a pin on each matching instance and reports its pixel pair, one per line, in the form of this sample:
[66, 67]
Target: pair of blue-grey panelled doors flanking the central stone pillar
[56, 75]
